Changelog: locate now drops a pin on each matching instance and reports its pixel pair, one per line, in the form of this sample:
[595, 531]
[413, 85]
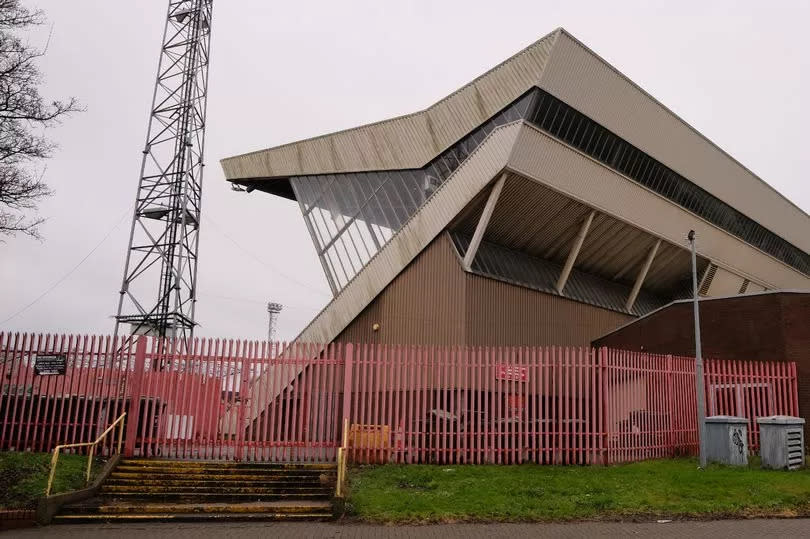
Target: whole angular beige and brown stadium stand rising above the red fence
[546, 202]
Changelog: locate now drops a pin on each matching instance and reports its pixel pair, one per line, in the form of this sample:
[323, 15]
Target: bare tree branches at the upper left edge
[24, 115]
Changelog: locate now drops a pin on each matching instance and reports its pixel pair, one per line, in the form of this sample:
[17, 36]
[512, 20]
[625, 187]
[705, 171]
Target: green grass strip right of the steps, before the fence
[652, 489]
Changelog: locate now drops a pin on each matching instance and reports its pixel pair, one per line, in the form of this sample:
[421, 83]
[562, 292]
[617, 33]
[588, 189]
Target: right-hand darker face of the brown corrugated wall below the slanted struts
[498, 313]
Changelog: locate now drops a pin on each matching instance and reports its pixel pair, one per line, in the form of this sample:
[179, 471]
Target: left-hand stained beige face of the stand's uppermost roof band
[407, 141]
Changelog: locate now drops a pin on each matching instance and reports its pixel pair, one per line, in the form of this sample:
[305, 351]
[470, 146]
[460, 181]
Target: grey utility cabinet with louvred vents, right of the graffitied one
[781, 442]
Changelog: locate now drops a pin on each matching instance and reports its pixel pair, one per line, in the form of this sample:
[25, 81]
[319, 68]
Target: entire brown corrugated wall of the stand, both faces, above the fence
[433, 301]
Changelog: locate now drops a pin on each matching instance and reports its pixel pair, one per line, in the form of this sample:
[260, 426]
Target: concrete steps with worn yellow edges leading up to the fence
[145, 490]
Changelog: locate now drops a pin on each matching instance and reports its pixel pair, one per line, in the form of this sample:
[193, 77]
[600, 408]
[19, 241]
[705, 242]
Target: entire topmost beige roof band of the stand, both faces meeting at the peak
[563, 66]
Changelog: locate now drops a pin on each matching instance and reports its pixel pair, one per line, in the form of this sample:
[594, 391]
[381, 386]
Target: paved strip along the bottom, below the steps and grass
[714, 530]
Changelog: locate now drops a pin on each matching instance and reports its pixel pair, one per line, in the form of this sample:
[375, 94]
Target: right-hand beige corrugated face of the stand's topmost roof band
[571, 74]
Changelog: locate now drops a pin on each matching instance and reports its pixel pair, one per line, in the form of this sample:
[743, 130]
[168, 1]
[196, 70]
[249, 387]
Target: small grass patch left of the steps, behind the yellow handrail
[23, 477]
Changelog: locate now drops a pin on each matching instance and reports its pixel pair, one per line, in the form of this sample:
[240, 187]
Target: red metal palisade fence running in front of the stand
[258, 401]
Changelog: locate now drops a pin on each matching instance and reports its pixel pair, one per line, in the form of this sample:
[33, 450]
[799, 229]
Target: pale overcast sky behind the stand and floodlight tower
[737, 71]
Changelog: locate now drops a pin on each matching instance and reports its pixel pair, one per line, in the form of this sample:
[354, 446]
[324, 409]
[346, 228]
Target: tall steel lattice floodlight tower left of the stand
[158, 292]
